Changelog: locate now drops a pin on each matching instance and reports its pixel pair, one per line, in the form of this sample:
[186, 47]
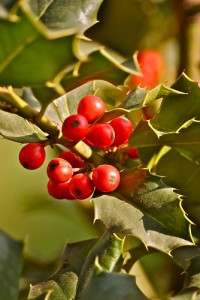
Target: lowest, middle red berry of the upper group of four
[100, 135]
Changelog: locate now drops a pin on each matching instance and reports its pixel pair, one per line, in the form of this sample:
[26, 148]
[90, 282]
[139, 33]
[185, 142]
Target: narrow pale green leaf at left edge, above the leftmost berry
[16, 128]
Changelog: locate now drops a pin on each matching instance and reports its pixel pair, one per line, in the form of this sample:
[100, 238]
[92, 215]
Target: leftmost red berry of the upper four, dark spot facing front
[75, 127]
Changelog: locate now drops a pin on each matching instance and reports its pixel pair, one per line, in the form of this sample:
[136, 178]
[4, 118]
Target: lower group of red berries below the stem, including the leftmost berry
[69, 176]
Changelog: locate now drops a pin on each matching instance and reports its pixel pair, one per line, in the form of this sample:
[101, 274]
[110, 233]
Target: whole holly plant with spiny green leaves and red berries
[125, 149]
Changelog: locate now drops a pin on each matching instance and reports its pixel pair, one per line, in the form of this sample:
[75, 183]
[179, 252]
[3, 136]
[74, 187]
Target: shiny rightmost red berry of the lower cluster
[106, 178]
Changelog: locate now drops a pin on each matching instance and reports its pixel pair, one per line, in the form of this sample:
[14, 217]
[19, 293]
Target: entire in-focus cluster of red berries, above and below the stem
[69, 176]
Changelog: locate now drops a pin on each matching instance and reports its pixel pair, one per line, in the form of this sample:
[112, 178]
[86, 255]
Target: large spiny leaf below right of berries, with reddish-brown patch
[147, 208]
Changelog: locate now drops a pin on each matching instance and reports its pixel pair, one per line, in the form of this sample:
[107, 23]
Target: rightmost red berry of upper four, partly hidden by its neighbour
[123, 129]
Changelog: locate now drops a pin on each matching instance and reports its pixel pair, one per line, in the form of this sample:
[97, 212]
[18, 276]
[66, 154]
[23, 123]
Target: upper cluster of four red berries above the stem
[83, 125]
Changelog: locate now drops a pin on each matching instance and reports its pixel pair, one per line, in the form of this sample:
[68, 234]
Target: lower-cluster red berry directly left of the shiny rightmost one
[81, 186]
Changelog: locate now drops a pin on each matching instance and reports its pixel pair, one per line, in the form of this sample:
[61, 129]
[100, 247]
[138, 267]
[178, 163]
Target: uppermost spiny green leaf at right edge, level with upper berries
[176, 110]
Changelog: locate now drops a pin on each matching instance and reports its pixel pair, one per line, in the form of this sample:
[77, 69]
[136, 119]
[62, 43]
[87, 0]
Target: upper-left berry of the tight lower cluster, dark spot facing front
[59, 170]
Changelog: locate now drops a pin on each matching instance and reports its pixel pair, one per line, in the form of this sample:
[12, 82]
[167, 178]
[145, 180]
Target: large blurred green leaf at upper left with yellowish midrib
[30, 52]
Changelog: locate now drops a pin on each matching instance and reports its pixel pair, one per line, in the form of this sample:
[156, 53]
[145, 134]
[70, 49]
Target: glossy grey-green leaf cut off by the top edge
[58, 15]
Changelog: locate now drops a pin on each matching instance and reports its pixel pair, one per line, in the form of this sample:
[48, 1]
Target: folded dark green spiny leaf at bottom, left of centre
[78, 261]
